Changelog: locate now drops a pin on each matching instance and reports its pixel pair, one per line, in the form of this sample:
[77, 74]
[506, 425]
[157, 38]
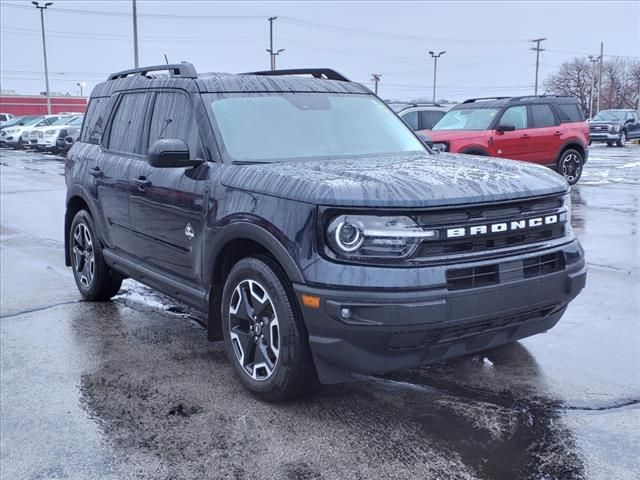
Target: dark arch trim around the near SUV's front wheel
[234, 242]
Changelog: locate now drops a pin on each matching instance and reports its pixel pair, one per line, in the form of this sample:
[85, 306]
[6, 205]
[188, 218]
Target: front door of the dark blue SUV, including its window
[167, 205]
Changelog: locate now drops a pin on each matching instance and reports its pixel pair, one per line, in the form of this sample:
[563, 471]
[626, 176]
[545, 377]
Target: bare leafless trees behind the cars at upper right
[619, 86]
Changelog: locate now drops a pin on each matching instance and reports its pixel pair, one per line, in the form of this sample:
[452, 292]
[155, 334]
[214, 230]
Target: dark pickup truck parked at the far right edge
[614, 127]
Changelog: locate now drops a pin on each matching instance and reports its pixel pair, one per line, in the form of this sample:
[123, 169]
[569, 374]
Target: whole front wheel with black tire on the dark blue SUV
[279, 375]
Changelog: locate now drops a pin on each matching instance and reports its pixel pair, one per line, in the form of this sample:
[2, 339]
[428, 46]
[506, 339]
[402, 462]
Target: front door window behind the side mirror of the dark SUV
[173, 117]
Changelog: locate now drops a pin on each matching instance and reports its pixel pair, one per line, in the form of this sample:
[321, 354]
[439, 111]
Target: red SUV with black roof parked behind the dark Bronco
[549, 130]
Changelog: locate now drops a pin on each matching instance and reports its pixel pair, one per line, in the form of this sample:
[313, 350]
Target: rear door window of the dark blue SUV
[127, 127]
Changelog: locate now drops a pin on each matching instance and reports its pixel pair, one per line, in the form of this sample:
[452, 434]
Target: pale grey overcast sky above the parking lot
[486, 42]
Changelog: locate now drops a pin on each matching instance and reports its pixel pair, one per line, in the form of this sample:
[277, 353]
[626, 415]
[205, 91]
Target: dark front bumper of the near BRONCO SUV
[389, 330]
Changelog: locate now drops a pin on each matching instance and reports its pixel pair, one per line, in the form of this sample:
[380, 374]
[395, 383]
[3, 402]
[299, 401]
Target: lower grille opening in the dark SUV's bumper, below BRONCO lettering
[486, 275]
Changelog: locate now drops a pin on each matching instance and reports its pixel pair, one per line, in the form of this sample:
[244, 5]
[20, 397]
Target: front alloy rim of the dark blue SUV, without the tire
[254, 330]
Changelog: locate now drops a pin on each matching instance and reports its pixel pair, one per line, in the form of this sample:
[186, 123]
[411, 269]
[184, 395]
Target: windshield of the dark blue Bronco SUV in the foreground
[263, 127]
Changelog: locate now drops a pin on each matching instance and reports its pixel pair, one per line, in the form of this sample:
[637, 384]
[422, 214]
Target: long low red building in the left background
[11, 102]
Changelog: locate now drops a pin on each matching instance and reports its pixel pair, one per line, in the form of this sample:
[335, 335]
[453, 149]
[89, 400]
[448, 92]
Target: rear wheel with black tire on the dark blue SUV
[97, 282]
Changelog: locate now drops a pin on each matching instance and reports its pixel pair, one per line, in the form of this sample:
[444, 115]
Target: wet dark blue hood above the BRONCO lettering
[414, 180]
